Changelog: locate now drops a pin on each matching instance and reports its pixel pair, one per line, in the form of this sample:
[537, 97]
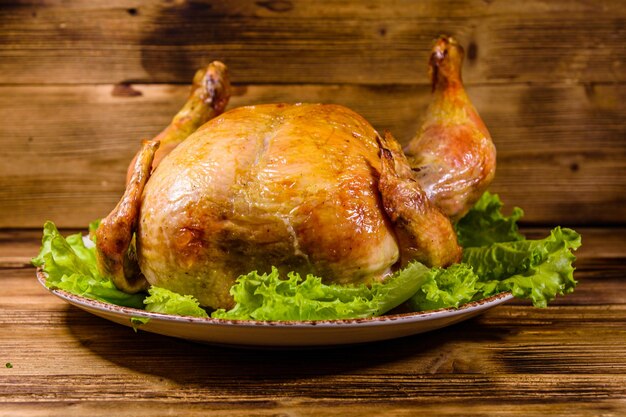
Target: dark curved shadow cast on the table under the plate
[185, 362]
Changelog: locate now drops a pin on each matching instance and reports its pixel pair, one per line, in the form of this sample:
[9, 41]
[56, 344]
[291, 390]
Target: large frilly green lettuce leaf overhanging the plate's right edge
[537, 270]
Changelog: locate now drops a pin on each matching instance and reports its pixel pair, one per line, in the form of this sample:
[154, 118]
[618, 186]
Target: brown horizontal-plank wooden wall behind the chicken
[81, 82]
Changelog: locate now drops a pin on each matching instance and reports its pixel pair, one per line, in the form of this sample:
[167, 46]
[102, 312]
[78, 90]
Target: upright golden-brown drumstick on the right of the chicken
[453, 156]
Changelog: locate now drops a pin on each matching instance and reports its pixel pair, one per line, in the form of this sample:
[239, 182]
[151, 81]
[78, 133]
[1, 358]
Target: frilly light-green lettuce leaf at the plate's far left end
[71, 266]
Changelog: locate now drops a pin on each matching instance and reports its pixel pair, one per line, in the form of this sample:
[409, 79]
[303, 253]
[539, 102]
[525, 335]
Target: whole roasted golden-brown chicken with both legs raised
[311, 188]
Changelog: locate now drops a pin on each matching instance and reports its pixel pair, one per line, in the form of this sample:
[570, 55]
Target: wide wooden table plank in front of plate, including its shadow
[443, 368]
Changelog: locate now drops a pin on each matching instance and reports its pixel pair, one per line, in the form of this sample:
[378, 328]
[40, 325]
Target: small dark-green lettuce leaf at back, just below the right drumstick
[485, 224]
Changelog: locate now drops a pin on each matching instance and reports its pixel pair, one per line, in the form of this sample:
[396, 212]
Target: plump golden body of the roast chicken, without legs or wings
[291, 186]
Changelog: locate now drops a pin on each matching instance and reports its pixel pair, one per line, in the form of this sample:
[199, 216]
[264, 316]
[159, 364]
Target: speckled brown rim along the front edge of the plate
[104, 307]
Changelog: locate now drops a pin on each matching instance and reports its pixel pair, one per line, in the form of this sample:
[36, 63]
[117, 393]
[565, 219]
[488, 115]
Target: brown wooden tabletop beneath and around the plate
[515, 360]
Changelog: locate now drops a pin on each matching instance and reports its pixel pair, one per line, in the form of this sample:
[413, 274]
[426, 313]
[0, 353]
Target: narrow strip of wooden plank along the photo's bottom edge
[330, 408]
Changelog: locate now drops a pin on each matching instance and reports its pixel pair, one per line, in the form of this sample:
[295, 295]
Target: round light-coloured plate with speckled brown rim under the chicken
[283, 333]
